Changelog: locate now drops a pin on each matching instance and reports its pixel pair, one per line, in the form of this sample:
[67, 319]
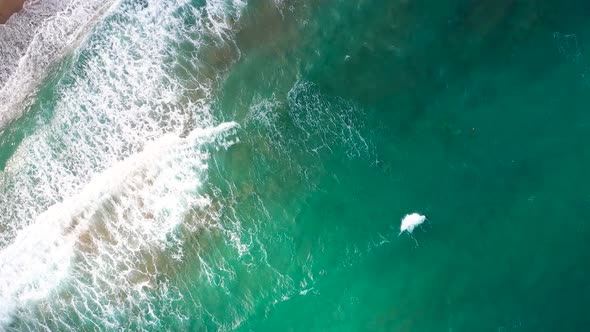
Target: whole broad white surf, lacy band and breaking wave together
[87, 209]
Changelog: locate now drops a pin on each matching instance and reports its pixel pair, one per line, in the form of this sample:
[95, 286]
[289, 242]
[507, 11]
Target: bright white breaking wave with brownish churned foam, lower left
[94, 246]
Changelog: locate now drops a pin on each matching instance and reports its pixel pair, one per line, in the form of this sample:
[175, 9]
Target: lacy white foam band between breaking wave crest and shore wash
[124, 92]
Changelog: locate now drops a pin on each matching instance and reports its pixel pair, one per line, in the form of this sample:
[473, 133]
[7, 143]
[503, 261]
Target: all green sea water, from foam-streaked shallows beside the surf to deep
[355, 113]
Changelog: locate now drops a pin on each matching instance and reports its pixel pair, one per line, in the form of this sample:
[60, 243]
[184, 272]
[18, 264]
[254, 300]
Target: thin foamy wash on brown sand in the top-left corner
[35, 38]
